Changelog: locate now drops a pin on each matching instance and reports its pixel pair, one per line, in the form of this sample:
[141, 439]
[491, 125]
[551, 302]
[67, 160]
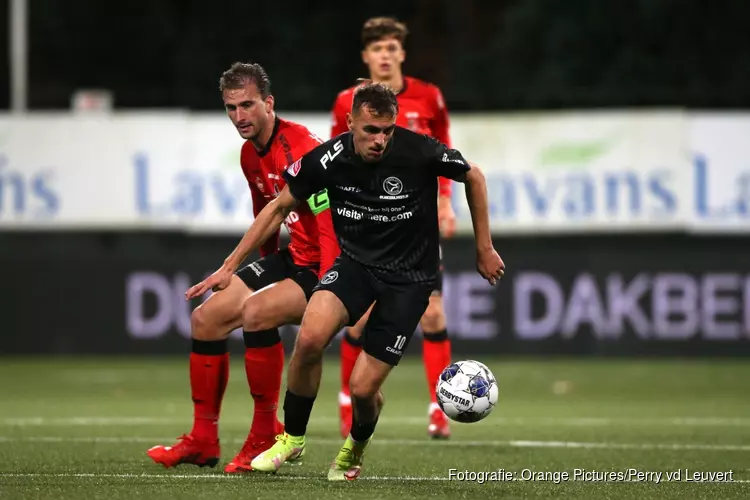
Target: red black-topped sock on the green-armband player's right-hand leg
[264, 366]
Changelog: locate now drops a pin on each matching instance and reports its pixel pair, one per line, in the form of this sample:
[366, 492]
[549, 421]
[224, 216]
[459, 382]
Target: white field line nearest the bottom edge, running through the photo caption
[236, 477]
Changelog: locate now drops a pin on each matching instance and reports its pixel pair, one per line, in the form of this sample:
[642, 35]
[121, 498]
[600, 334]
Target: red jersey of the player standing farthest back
[421, 109]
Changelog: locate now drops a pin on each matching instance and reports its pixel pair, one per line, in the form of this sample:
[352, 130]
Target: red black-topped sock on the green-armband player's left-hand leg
[209, 372]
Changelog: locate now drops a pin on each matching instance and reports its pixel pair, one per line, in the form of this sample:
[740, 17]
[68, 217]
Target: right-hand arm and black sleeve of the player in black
[450, 163]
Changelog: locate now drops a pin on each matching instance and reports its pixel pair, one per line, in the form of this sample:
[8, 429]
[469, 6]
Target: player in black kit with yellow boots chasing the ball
[382, 188]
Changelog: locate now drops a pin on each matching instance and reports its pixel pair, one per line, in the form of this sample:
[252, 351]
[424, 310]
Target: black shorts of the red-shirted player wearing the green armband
[278, 267]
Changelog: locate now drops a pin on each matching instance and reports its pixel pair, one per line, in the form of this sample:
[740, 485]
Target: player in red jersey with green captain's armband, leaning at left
[243, 296]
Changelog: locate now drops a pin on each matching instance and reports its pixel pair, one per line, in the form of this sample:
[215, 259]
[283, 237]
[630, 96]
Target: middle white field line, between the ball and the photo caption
[411, 442]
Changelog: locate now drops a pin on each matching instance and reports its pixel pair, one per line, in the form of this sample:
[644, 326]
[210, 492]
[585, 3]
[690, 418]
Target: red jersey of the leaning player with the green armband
[312, 239]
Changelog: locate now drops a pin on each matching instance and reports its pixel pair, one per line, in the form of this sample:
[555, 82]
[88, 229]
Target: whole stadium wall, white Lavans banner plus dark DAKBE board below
[625, 233]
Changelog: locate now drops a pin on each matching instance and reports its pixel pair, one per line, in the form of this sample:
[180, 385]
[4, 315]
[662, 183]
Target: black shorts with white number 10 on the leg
[395, 316]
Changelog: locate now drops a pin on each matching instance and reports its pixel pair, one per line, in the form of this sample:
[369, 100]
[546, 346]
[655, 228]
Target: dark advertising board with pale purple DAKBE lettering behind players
[123, 293]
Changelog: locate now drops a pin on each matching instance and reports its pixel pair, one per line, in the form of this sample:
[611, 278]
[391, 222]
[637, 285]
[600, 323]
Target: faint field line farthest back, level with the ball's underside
[385, 420]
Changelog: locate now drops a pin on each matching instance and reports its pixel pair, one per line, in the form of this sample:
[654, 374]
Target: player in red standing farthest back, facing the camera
[421, 109]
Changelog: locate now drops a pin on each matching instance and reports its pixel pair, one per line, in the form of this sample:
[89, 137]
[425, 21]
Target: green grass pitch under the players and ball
[79, 428]
